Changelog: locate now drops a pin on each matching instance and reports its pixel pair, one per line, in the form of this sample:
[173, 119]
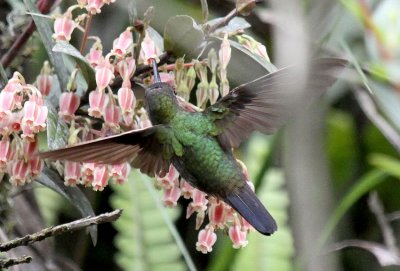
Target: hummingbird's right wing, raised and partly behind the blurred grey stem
[267, 102]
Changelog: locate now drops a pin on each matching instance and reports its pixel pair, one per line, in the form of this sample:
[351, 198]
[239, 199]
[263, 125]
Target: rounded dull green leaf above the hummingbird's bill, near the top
[183, 36]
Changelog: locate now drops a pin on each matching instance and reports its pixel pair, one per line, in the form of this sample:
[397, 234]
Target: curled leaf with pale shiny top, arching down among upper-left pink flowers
[84, 66]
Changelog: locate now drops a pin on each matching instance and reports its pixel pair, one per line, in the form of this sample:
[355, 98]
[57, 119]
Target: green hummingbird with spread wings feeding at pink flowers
[199, 144]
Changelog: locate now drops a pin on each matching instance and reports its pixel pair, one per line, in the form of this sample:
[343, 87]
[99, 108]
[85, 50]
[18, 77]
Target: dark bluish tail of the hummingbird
[247, 204]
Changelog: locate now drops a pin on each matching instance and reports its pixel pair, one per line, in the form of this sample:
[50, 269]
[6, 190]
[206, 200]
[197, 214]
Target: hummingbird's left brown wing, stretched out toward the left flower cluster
[140, 147]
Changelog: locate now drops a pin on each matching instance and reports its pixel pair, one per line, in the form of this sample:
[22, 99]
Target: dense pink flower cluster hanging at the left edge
[22, 116]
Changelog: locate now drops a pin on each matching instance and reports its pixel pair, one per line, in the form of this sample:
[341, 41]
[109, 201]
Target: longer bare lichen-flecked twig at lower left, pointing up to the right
[61, 229]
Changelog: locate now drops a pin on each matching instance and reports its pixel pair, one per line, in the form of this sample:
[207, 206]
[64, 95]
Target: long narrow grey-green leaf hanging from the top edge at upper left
[45, 32]
